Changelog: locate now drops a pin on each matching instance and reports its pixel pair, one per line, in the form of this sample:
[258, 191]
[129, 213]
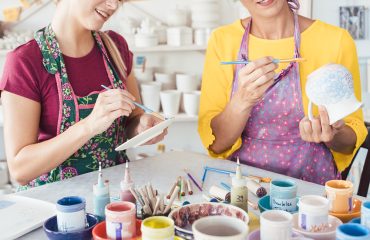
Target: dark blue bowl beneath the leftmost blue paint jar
[51, 229]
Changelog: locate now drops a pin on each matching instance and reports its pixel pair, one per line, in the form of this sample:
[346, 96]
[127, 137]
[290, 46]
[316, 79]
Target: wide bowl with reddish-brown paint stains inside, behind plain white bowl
[185, 216]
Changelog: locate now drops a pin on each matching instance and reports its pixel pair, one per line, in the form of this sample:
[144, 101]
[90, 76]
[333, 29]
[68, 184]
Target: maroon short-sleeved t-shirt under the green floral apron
[25, 75]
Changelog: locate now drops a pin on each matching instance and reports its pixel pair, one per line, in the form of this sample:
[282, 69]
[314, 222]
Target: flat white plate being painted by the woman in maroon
[146, 135]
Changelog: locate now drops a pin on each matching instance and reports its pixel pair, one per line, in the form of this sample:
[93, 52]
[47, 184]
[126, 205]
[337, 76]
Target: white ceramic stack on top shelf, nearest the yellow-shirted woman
[205, 14]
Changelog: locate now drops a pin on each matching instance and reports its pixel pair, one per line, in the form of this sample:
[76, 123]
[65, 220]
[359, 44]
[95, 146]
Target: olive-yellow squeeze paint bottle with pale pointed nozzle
[239, 191]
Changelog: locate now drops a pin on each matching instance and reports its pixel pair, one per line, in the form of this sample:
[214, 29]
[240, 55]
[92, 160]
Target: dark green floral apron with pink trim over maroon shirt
[73, 109]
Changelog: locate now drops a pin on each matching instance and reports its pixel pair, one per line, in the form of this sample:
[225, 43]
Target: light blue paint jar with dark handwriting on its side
[283, 195]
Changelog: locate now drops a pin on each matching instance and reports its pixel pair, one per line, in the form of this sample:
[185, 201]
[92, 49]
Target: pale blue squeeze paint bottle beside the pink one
[101, 195]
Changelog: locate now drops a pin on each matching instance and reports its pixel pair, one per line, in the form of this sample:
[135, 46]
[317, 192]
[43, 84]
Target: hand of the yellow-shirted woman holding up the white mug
[318, 129]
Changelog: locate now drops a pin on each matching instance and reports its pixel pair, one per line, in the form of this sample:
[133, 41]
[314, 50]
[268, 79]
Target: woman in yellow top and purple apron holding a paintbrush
[257, 111]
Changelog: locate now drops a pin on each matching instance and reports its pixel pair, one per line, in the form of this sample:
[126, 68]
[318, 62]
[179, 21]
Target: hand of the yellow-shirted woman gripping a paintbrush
[253, 81]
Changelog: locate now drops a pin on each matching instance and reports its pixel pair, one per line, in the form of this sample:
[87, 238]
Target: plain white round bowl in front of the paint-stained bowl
[219, 228]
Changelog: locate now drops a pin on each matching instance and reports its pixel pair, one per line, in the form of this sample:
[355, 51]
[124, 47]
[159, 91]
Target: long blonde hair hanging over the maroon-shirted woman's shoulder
[115, 54]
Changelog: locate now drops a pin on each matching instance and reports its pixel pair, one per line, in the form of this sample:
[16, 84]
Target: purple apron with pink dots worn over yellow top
[271, 139]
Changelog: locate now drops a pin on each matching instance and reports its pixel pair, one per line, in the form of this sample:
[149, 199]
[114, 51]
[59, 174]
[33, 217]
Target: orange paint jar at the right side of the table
[339, 193]
